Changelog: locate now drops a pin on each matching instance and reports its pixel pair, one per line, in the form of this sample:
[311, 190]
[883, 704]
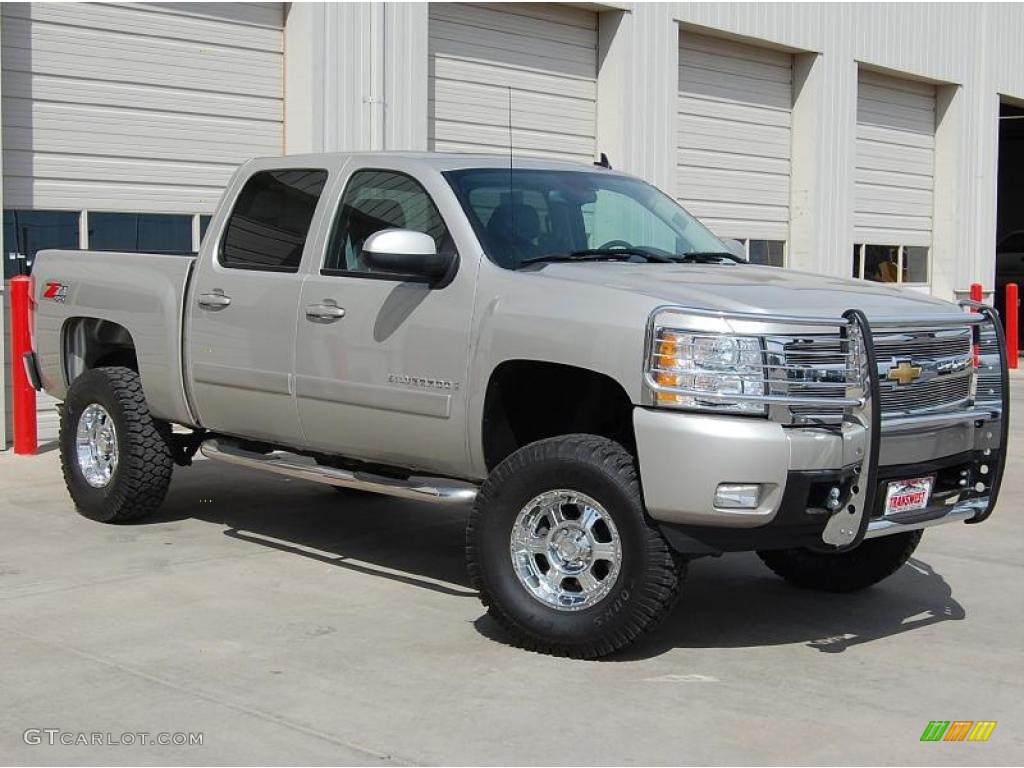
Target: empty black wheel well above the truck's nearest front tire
[530, 401]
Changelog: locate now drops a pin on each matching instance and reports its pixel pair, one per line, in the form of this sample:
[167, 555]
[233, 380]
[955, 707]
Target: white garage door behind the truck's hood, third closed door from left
[736, 105]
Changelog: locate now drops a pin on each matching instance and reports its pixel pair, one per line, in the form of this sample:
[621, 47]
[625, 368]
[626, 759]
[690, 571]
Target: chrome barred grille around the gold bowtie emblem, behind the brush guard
[818, 366]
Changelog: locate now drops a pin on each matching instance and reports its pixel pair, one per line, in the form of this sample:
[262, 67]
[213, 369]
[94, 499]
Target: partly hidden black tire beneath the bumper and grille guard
[856, 570]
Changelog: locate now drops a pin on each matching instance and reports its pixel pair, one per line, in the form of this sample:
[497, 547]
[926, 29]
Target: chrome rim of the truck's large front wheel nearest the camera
[566, 550]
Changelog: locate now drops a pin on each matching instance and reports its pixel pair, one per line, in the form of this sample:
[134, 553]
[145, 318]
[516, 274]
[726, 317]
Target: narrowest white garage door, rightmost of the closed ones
[895, 161]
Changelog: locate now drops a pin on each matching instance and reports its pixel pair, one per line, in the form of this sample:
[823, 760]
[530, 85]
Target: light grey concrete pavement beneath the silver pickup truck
[291, 625]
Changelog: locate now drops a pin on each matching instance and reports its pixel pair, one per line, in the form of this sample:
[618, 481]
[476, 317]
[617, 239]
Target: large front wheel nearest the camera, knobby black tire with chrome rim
[563, 553]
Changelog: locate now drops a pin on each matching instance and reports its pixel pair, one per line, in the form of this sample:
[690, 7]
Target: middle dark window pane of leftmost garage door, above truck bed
[139, 233]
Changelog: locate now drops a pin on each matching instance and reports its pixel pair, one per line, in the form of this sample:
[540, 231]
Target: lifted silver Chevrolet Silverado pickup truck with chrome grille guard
[564, 348]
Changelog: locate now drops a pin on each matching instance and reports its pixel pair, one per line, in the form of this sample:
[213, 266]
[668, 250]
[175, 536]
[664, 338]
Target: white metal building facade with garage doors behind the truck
[810, 133]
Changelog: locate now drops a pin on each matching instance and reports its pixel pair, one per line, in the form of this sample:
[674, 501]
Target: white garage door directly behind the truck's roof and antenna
[546, 54]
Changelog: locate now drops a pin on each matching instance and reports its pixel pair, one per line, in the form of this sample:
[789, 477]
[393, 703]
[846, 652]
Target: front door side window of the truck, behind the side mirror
[375, 201]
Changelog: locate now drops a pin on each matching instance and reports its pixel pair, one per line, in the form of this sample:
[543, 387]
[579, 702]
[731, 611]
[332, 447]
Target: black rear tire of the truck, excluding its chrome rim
[140, 482]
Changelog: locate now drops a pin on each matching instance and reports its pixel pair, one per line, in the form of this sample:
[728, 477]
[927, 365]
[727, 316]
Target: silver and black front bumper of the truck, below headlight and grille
[684, 457]
